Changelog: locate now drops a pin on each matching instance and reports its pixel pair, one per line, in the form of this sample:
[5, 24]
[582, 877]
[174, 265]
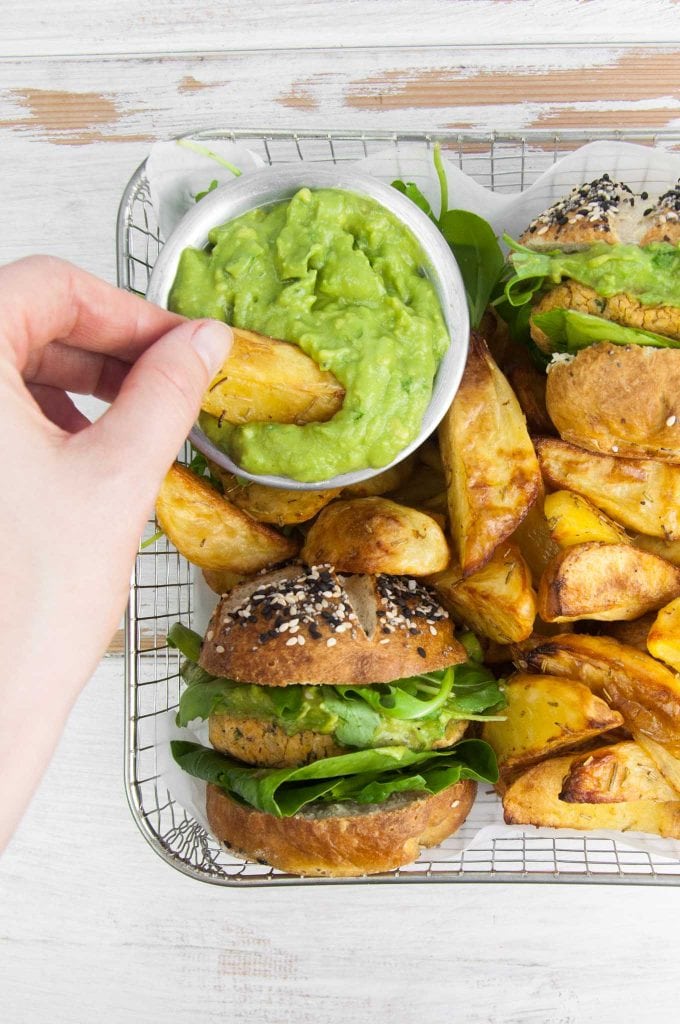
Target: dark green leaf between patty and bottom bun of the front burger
[364, 777]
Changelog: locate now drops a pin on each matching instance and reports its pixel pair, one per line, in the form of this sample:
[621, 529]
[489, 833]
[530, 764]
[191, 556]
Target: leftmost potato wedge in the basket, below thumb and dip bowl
[210, 532]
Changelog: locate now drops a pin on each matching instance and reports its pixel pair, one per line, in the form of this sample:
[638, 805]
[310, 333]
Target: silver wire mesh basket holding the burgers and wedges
[162, 590]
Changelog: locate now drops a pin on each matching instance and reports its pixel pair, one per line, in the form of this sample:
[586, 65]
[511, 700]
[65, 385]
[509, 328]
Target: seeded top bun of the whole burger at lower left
[311, 625]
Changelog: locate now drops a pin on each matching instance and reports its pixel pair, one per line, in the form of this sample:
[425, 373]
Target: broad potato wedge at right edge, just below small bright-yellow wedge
[606, 582]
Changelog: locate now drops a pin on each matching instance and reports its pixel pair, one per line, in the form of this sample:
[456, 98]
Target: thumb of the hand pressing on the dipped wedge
[159, 402]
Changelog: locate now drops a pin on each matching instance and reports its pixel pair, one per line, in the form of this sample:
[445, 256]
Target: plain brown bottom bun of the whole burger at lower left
[346, 840]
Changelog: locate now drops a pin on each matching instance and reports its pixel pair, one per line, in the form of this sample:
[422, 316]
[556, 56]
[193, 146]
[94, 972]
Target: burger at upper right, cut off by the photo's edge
[594, 283]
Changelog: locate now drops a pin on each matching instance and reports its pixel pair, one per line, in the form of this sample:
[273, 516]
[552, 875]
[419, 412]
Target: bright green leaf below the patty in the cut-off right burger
[571, 331]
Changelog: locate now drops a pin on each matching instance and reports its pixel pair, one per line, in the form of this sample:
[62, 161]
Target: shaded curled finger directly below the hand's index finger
[76, 370]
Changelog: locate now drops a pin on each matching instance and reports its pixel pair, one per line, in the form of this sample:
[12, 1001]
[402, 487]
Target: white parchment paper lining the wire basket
[177, 174]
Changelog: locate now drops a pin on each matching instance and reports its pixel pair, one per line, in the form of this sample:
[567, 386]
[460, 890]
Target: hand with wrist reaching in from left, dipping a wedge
[77, 495]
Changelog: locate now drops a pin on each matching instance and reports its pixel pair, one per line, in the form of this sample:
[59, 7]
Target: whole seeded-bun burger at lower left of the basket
[337, 708]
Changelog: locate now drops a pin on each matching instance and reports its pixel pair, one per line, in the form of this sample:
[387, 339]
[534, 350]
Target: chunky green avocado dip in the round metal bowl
[343, 278]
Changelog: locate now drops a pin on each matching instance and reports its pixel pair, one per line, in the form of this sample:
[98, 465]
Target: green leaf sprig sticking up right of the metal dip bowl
[471, 238]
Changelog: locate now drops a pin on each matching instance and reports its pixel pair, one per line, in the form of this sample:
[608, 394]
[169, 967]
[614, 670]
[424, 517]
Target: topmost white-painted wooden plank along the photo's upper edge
[63, 27]
